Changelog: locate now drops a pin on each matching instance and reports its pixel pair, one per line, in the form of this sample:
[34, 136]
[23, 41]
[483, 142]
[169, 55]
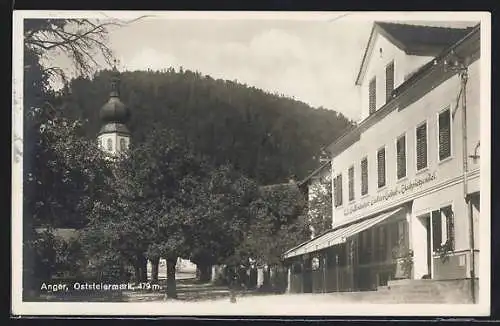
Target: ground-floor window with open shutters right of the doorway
[443, 228]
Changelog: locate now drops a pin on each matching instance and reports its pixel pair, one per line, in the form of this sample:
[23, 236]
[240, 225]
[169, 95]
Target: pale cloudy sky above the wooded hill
[313, 60]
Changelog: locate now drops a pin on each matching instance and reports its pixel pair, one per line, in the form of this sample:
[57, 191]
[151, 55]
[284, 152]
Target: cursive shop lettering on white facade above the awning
[399, 190]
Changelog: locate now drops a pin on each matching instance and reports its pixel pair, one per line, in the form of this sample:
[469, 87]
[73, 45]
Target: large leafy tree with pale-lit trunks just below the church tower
[144, 214]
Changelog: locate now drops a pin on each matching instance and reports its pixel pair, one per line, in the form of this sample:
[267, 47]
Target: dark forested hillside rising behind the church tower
[265, 136]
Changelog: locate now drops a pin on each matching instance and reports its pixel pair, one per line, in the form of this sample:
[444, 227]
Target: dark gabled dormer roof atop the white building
[412, 39]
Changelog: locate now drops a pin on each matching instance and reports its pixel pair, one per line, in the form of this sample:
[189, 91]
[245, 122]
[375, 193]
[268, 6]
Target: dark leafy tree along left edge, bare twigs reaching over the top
[62, 170]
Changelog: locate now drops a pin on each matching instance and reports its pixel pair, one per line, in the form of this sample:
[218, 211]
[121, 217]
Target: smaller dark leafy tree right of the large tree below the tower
[221, 213]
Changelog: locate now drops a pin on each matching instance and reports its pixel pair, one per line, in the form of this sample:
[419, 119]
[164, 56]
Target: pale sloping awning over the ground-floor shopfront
[338, 235]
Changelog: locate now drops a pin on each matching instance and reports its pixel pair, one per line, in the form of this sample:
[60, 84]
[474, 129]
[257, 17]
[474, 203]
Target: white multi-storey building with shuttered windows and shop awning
[406, 179]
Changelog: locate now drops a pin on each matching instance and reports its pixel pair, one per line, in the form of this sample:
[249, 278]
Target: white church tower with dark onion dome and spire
[114, 136]
